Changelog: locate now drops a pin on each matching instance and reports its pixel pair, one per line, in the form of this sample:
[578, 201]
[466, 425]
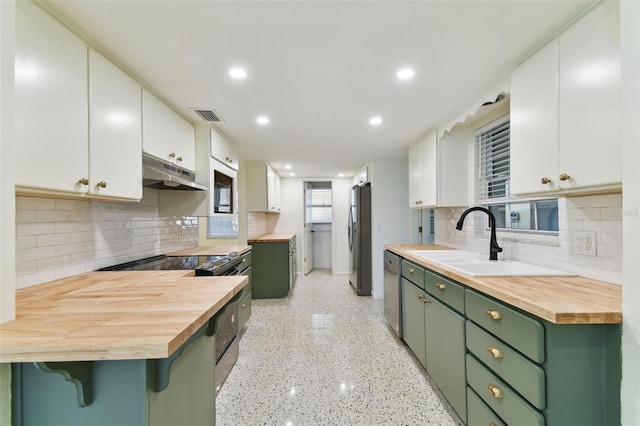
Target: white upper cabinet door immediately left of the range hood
[115, 131]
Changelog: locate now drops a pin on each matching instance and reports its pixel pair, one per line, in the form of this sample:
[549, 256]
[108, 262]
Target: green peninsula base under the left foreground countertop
[121, 392]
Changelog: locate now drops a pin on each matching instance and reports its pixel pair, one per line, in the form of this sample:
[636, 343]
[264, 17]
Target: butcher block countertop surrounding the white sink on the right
[560, 300]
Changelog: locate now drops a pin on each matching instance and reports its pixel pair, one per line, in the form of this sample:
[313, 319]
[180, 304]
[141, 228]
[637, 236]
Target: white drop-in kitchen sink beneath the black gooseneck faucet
[477, 265]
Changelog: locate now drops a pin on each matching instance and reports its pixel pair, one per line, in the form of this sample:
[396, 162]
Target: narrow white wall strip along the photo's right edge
[630, 50]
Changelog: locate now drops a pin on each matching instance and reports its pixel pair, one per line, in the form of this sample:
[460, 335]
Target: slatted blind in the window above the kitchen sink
[493, 154]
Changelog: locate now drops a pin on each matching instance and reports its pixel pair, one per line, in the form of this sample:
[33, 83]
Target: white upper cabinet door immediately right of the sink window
[534, 122]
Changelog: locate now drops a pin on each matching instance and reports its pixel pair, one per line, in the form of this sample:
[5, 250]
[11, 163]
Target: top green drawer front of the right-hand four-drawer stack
[520, 331]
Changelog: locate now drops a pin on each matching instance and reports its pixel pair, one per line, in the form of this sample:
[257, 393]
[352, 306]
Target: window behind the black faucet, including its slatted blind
[493, 154]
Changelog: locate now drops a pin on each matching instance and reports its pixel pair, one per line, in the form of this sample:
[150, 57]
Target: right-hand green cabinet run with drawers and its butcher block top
[525, 350]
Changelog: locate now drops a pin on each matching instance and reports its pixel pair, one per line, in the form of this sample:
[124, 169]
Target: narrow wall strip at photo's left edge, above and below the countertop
[7, 223]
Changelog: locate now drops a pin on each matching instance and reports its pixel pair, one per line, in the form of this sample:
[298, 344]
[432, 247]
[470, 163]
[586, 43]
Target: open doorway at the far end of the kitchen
[318, 226]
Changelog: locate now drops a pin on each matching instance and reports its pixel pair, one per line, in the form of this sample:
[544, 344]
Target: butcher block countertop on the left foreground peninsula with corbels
[112, 315]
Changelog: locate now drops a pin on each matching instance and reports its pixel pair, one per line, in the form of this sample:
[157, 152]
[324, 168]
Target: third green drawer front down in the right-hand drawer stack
[512, 408]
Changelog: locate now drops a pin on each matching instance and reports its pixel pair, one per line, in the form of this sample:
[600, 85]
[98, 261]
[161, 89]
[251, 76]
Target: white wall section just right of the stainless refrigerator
[390, 213]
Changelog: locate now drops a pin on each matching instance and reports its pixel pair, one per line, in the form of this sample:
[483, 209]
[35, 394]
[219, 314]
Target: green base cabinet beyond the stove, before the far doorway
[270, 264]
